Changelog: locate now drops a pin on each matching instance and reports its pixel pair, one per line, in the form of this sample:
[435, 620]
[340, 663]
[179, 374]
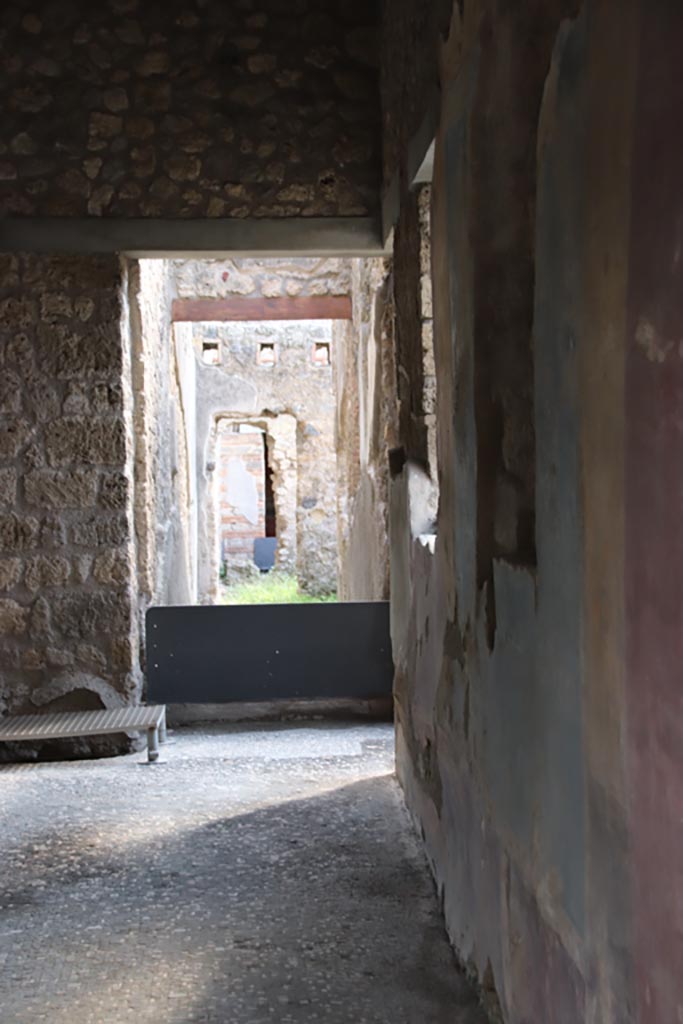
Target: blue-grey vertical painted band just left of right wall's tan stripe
[558, 331]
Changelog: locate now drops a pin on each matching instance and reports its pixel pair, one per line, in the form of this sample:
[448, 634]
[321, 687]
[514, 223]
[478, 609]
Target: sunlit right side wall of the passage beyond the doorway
[366, 432]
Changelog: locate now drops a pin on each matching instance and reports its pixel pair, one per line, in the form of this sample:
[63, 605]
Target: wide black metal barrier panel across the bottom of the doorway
[269, 653]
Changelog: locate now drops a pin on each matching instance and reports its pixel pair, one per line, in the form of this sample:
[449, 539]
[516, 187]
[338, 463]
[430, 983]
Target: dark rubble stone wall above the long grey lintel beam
[190, 109]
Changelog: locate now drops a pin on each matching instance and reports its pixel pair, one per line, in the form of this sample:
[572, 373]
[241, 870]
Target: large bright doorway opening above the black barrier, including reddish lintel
[270, 405]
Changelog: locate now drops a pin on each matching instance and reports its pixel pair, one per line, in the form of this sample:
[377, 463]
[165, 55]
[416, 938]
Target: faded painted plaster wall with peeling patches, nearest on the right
[536, 643]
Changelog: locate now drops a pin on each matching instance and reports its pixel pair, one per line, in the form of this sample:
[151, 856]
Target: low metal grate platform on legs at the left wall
[64, 726]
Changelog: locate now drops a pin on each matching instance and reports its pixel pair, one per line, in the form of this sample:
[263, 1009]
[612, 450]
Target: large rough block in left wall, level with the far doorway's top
[91, 442]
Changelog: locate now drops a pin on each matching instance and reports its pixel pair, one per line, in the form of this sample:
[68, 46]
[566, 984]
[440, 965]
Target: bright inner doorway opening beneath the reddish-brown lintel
[269, 480]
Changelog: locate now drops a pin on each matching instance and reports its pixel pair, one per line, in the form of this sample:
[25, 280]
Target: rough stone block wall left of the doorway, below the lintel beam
[68, 625]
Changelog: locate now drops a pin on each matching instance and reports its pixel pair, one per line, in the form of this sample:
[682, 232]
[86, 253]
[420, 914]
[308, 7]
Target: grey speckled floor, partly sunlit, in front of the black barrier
[259, 876]
